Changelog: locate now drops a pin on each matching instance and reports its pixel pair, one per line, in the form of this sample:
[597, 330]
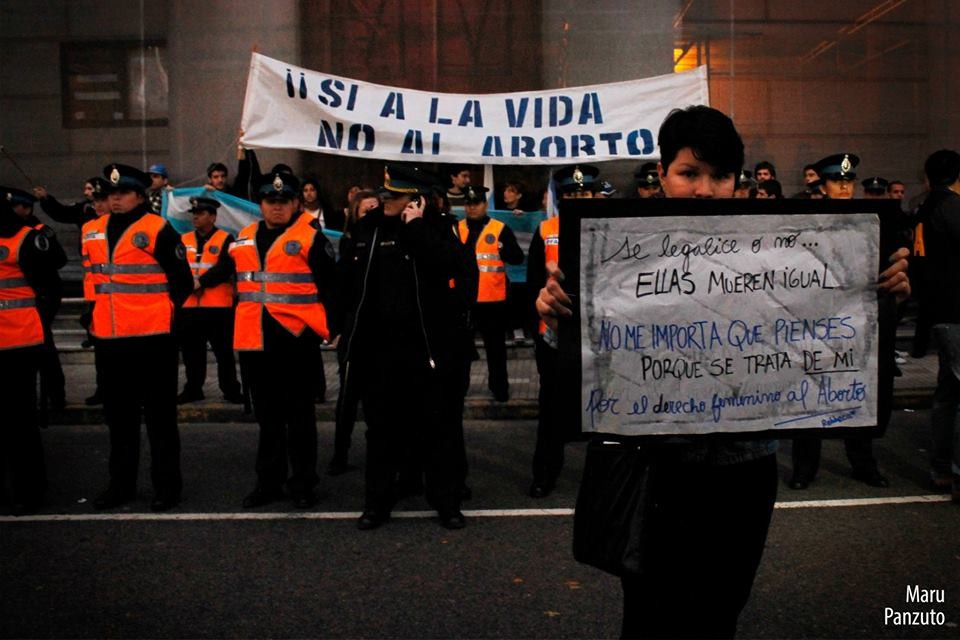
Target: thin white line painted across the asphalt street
[477, 513]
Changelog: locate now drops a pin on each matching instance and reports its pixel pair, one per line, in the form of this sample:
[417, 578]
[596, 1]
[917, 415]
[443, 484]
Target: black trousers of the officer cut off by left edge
[23, 473]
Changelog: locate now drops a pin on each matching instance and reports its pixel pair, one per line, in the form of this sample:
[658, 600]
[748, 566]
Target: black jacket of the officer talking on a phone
[406, 289]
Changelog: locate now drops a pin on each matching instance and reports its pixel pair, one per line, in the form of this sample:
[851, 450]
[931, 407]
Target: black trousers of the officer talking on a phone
[402, 409]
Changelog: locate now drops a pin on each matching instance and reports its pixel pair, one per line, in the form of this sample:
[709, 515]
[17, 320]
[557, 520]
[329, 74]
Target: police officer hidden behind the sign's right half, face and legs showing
[838, 173]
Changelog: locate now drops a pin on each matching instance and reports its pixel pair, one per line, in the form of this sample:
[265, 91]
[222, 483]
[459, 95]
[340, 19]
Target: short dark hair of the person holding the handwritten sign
[708, 133]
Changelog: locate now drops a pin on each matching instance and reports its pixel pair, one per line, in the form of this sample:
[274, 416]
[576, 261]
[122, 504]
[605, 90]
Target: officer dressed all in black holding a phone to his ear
[405, 321]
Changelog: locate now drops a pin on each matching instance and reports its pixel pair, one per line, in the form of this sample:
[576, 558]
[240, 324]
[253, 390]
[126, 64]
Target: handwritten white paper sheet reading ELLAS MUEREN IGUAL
[700, 324]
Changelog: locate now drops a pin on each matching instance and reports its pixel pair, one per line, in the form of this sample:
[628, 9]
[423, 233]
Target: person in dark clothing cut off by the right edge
[941, 215]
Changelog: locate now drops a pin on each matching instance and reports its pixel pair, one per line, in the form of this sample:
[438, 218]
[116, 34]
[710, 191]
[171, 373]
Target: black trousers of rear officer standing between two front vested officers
[195, 328]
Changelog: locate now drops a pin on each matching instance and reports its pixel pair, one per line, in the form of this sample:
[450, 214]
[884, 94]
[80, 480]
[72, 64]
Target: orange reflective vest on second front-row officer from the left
[130, 288]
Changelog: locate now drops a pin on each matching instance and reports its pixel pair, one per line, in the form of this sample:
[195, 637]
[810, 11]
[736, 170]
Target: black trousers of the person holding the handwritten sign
[707, 535]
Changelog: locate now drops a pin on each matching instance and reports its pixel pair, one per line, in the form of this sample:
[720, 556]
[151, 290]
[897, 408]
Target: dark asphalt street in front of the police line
[211, 569]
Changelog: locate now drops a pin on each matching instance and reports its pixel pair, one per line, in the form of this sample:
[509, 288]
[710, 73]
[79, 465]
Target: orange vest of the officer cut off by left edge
[19, 320]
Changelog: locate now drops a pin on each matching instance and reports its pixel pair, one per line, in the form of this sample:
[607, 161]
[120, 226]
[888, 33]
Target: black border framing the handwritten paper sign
[572, 211]
